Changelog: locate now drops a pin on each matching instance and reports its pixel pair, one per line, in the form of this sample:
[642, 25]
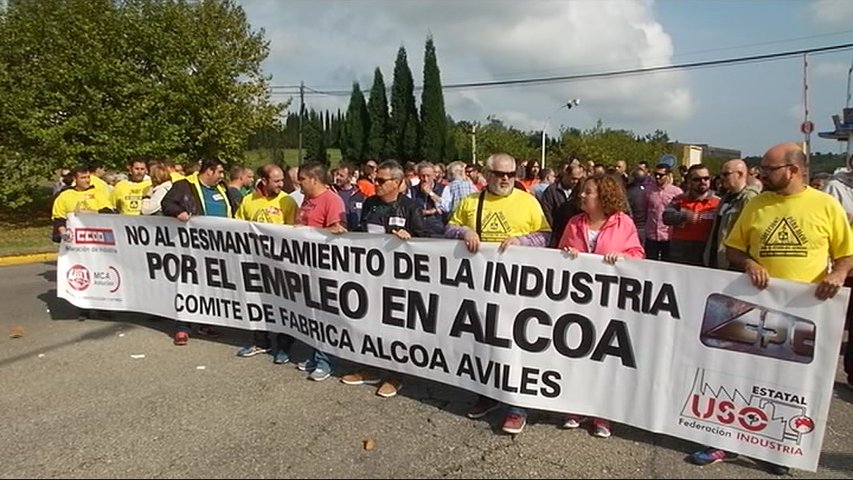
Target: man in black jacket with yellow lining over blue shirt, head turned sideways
[202, 193]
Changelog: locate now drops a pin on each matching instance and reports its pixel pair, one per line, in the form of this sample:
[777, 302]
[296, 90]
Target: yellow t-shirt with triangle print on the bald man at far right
[793, 236]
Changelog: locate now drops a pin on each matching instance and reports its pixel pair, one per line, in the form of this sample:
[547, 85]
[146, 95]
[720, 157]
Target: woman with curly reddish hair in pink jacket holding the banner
[603, 228]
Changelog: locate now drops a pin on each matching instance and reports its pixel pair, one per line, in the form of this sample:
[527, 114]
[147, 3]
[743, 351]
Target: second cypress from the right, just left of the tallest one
[404, 114]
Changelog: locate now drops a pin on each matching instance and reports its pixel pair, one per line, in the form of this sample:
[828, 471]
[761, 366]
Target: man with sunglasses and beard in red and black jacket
[691, 216]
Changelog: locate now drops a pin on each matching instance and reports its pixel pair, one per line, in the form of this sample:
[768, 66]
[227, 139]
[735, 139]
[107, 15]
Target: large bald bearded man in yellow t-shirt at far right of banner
[788, 231]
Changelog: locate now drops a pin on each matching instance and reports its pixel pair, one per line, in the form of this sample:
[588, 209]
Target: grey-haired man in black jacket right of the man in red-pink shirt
[388, 212]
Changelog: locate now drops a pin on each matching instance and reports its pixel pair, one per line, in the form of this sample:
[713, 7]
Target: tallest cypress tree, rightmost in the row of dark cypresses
[433, 131]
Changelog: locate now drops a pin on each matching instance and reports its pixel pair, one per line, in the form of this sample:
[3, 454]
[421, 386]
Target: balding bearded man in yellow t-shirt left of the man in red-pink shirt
[269, 204]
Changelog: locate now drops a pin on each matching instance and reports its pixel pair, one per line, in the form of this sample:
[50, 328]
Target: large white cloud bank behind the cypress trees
[329, 44]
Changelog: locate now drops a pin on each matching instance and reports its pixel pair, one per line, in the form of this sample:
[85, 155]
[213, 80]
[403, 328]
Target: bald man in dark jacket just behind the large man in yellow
[734, 175]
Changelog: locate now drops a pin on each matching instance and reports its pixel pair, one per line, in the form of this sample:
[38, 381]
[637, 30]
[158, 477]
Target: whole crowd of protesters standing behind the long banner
[766, 221]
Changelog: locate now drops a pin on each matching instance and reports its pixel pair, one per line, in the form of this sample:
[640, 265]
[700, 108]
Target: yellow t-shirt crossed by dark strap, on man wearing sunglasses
[517, 214]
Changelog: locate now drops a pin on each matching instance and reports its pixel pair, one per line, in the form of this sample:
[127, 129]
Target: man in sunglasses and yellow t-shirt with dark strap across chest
[499, 214]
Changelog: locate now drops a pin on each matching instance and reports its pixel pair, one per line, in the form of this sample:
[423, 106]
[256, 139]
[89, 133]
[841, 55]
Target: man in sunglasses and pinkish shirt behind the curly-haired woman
[658, 197]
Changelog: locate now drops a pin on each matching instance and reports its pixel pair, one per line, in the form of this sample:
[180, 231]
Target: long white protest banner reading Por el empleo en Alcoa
[693, 353]
